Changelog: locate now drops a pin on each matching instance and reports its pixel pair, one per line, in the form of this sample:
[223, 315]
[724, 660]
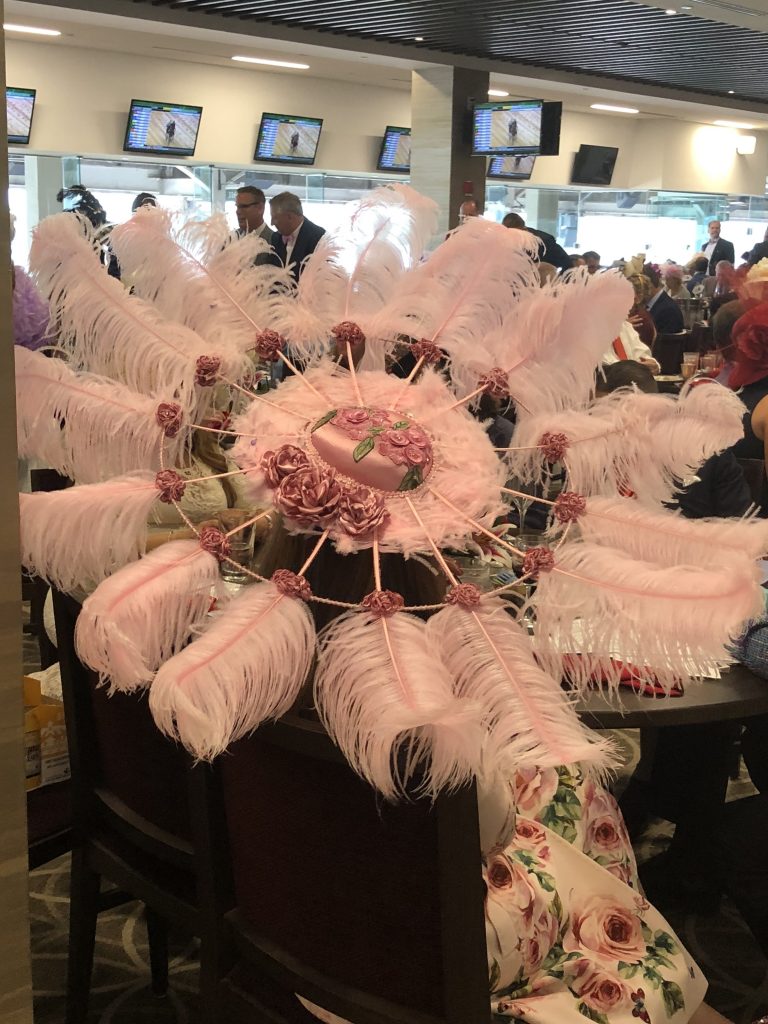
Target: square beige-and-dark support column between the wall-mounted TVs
[442, 162]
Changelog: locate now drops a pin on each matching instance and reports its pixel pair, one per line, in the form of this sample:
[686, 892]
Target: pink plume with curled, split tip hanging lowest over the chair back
[388, 702]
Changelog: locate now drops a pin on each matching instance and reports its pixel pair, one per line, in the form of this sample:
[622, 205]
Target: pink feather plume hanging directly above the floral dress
[529, 718]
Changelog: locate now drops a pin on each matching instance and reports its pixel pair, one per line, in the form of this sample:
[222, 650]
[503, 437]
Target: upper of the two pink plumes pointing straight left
[86, 428]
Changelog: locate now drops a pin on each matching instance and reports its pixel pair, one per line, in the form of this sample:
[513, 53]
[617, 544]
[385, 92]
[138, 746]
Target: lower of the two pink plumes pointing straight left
[78, 537]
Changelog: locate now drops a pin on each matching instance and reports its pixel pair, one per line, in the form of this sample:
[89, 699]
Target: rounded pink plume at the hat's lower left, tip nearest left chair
[141, 617]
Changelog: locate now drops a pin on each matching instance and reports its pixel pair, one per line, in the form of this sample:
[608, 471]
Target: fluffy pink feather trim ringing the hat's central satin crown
[466, 471]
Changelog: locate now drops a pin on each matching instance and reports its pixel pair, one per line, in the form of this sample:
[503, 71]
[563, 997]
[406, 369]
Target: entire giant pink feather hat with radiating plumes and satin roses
[369, 462]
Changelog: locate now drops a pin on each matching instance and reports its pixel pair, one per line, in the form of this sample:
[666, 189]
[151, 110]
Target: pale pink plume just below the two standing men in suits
[228, 303]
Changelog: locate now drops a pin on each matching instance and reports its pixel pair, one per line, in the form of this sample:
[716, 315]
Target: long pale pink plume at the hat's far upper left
[112, 332]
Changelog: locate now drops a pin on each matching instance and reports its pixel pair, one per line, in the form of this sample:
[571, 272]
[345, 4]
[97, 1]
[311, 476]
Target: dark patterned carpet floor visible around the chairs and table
[722, 946]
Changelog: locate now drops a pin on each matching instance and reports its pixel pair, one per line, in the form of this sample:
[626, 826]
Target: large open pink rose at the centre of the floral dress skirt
[608, 928]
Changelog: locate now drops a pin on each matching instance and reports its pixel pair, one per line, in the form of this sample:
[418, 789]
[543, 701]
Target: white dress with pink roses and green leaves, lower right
[570, 935]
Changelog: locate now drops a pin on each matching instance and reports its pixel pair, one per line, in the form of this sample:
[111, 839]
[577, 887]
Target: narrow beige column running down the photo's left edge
[16, 974]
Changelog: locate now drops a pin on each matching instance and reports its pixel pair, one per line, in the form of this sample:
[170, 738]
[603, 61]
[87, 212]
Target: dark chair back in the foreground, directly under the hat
[372, 911]
